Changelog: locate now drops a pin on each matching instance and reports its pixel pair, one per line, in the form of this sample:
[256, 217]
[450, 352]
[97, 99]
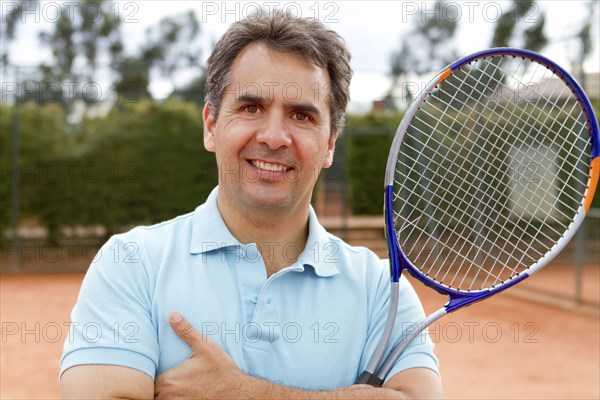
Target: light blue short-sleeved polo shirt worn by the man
[313, 325]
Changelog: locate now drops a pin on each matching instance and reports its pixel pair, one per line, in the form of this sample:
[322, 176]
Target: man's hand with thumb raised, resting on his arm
[209, 372]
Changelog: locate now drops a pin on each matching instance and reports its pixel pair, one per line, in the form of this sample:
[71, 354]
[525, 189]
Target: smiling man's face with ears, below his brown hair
[272, 135]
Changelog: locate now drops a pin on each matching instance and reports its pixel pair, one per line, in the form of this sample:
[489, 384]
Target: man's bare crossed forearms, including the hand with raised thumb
[209, 373]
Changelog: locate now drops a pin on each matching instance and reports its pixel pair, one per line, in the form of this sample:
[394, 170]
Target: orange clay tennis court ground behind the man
[504, 348]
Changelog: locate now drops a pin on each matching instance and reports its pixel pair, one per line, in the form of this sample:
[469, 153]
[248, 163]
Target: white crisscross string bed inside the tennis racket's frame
[469, 223]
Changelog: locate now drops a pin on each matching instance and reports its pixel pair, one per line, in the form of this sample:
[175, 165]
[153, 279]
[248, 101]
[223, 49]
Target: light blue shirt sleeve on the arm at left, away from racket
[111, 322]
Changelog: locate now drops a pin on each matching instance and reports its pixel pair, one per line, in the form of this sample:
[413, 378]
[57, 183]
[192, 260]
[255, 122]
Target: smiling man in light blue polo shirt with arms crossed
[248, 296]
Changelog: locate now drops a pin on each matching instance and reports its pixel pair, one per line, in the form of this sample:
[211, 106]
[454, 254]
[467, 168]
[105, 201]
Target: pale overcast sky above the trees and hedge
[372, 29]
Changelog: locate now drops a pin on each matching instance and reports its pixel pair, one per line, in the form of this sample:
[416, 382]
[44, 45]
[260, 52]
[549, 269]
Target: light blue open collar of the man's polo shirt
[210, 233]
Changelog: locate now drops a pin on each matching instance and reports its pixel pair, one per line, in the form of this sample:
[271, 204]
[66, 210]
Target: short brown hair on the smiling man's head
[283, 32]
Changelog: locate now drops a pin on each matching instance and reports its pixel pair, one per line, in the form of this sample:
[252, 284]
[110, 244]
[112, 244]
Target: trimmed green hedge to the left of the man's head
[142, 163]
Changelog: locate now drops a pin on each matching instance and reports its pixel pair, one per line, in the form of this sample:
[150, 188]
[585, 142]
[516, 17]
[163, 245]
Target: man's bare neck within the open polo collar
[280, 236]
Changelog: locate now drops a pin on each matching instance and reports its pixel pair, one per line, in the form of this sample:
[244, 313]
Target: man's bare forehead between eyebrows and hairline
[273, 75]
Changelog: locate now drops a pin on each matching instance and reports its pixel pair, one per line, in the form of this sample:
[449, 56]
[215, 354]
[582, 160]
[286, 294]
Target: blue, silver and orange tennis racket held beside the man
[491, 172]
